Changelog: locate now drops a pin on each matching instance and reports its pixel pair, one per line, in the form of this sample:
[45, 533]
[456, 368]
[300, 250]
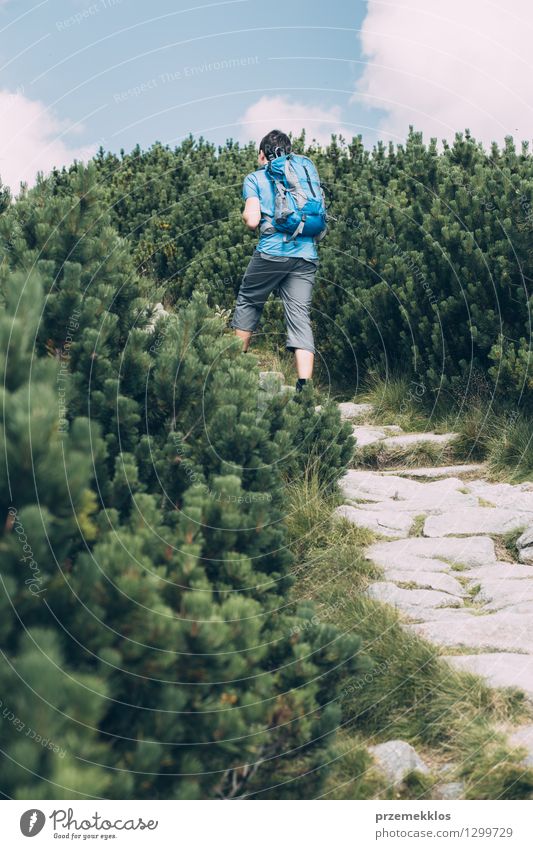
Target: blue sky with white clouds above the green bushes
[77, 74]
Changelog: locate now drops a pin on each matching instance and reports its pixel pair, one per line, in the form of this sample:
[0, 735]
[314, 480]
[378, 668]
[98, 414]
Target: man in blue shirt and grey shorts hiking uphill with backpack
[285, 197]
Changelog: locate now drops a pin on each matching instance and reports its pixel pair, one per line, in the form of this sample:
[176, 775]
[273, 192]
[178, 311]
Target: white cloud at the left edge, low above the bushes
[33, 139]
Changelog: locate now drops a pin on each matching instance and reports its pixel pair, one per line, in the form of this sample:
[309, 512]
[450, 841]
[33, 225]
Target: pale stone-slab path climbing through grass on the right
[445, 565]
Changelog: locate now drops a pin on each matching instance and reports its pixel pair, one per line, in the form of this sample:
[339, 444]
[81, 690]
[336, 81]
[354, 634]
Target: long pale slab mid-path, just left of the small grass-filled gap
[472, 552]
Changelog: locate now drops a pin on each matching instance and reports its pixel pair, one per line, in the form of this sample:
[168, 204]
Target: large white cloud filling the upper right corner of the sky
[447, 66]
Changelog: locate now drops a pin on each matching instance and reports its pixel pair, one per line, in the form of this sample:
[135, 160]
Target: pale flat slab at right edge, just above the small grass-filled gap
[477, 520]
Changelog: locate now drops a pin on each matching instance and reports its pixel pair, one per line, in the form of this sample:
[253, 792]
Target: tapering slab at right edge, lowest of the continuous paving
[499, 669]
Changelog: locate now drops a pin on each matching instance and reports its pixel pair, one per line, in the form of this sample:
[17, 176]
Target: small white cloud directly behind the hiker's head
[290, 116]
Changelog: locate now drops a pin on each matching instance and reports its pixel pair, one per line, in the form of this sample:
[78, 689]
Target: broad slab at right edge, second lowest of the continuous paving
[501, 631]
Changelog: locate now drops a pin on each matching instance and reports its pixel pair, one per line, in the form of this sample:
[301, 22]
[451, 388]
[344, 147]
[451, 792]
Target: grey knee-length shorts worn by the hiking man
[294, 278]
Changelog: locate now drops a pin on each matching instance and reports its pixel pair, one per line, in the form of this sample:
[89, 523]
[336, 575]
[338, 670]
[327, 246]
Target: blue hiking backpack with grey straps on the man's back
[300, 206]
